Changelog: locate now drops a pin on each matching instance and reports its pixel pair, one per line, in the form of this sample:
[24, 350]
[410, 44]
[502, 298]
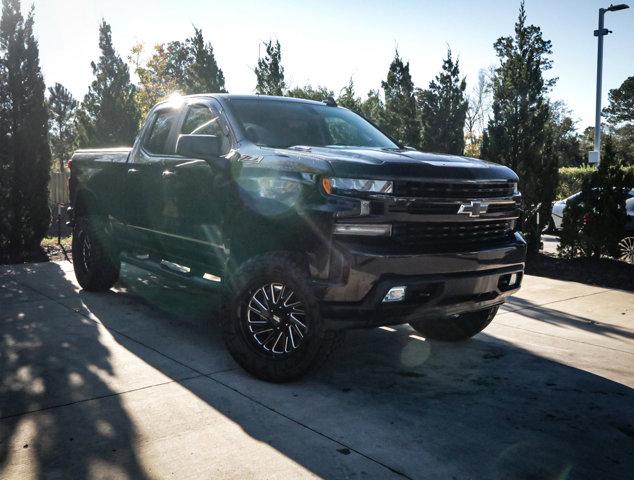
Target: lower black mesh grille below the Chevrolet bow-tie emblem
[454, 236]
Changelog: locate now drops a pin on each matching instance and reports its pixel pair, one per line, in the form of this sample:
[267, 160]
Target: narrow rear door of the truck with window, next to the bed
[143, 184]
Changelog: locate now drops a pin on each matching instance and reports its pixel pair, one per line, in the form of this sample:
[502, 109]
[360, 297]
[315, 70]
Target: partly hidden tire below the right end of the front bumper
[455, 329]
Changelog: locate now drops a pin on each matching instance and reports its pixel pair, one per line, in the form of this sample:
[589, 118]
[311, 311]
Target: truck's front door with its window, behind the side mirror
[196, 194]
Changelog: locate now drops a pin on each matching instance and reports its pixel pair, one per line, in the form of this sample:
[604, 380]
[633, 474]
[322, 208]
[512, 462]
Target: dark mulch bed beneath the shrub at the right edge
[602, 272]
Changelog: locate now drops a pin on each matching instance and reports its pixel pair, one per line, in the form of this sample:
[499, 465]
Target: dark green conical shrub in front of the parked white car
[594, 223]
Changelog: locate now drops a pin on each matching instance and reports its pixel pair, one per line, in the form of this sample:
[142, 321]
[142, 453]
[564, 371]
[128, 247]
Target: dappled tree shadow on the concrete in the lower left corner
[50, 357]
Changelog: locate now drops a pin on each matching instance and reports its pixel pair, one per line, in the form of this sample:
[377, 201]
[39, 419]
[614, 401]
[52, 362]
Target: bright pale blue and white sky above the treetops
[326, 42]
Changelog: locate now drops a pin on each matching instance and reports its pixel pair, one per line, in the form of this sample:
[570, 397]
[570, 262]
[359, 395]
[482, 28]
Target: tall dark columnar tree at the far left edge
[25, 154]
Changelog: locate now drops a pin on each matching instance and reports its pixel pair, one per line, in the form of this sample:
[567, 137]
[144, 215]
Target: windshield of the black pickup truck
[283, 124]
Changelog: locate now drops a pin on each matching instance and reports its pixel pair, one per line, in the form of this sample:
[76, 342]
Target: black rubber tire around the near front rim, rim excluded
[318, 342]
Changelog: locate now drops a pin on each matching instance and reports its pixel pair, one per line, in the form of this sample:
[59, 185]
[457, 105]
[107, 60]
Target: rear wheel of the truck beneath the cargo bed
[96, 269]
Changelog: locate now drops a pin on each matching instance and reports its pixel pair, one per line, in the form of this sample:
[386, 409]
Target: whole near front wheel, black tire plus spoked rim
[271, 322]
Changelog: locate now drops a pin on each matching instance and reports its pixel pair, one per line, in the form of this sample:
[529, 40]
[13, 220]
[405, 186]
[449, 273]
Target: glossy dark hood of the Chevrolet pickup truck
[403, 164]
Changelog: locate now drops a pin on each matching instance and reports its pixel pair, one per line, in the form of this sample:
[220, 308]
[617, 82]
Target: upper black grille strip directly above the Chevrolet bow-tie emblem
[454, 190]
